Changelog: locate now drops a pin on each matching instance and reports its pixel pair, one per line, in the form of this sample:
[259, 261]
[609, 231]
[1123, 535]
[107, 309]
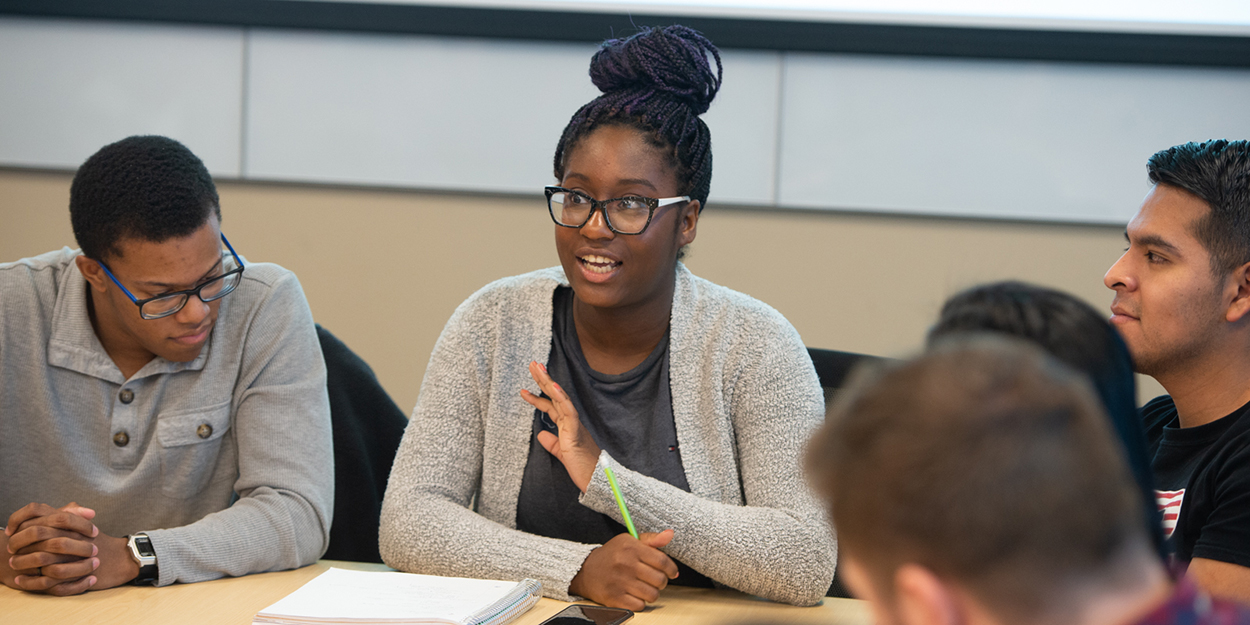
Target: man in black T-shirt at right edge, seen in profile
[1183, 307]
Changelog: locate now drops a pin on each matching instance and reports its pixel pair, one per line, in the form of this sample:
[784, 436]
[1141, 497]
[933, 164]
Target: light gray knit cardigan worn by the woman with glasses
[746, 399]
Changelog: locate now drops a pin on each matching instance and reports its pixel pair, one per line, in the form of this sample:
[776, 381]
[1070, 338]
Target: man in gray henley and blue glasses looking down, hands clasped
[163, 404]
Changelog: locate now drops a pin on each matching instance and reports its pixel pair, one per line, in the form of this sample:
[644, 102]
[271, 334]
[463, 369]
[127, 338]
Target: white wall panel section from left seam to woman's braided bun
[411, 111]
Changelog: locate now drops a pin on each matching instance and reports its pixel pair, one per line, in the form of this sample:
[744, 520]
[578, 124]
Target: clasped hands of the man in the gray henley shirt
[61, 552]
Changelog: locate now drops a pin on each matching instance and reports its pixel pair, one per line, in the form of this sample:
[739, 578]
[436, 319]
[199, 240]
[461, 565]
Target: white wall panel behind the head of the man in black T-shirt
[1012, 139]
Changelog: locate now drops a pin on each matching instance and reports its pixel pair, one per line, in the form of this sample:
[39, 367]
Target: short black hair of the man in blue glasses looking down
[149, 188]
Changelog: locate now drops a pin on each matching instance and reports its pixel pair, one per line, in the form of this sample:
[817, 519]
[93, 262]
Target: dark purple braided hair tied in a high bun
[658, 82]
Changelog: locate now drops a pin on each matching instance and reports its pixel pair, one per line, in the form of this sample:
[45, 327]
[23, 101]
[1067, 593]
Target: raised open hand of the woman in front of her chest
[574, 448]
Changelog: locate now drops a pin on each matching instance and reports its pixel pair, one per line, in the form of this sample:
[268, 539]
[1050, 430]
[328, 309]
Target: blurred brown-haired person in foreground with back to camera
[982, 484]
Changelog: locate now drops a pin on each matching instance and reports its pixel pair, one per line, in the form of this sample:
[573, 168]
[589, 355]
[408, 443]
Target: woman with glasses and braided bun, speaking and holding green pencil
[697, 397]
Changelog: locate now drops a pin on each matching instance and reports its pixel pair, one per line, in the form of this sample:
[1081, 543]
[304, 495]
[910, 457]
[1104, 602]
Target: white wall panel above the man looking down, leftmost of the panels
[69, 88]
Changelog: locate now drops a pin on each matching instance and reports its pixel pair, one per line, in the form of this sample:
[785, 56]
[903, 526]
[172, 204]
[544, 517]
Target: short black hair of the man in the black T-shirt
[1219, 174]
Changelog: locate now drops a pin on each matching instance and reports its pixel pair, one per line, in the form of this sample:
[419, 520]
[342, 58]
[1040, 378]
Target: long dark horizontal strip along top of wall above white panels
[816, 37]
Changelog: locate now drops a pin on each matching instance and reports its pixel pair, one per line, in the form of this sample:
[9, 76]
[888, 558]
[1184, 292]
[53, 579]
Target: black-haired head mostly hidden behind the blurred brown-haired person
[1074, 333]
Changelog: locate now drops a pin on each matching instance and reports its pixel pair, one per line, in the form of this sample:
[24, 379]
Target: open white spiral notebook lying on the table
[347, 597]
